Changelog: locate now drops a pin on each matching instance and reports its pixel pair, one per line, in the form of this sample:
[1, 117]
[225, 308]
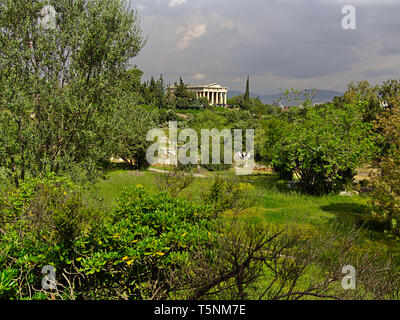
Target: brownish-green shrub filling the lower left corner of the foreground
[41, 222]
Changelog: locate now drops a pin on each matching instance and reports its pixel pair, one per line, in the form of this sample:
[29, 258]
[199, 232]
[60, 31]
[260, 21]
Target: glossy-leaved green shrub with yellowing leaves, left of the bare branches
[146, 238]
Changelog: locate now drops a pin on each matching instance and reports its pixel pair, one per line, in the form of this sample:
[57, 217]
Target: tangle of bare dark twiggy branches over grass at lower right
[250, 262]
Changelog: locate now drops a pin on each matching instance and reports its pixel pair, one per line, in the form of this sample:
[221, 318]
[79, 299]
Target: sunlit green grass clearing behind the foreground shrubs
[271, 203]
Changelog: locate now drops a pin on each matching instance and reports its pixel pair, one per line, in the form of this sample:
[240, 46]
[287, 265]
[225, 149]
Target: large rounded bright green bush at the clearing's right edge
[321, 145]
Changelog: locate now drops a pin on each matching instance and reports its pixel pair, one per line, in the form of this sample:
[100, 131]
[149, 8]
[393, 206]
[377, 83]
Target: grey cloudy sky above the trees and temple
[279, 43]
